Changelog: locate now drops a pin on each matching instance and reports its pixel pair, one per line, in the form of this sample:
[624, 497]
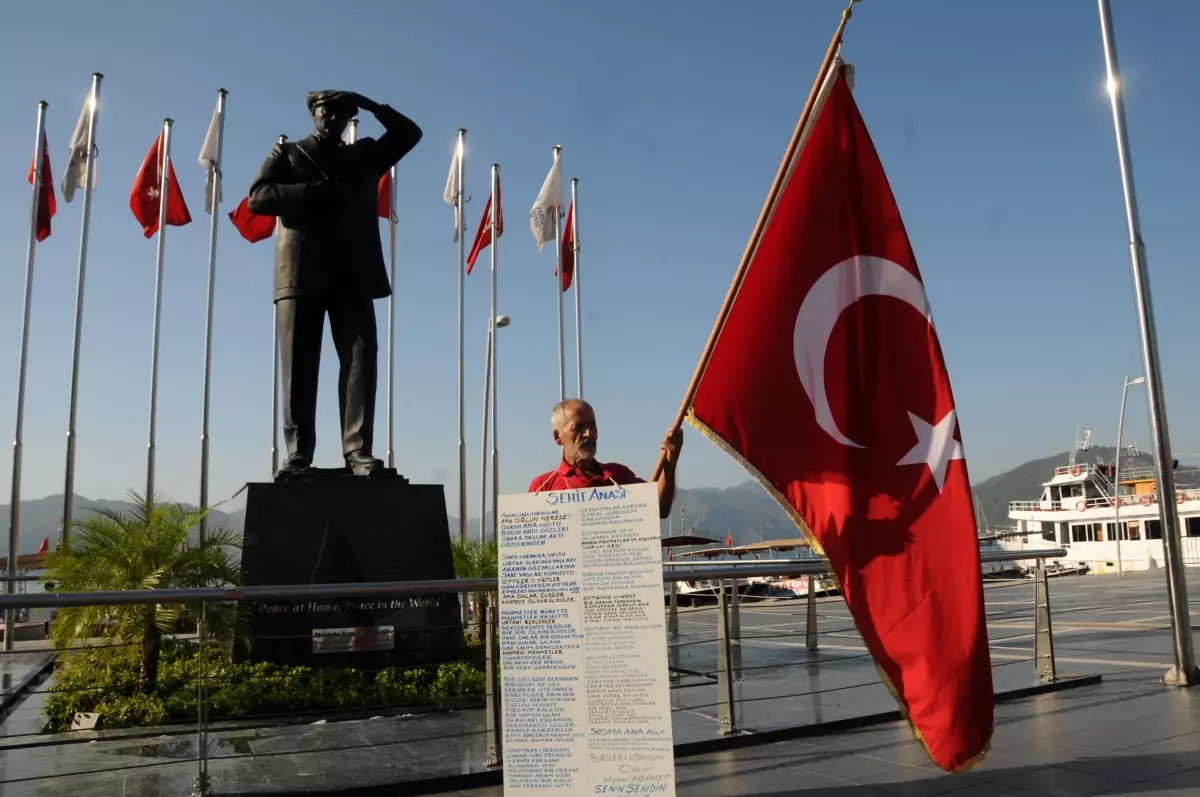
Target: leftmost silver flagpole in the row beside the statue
[19, 435]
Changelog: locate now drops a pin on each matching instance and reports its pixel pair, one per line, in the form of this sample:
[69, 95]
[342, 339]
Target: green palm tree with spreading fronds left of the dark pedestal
[146, 548]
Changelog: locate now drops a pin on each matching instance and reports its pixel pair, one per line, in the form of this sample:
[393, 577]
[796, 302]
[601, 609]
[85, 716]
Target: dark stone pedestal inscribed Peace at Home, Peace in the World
[337, 530]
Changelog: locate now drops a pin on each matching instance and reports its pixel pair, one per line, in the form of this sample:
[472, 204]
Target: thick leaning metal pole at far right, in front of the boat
[1184, 673]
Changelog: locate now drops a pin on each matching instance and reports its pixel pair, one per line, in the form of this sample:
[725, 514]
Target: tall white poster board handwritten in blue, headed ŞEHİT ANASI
[584, 651]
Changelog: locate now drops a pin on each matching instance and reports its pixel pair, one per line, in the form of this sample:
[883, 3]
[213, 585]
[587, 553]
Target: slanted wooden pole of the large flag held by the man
[757, 236]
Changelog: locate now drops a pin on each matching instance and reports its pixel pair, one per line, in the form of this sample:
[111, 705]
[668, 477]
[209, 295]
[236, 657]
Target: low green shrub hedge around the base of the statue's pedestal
[106, 680]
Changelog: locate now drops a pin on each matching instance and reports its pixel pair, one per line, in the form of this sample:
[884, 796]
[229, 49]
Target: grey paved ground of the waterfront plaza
[1130, 734]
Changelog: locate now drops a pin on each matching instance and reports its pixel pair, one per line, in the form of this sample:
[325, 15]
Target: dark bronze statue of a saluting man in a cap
[329, 260]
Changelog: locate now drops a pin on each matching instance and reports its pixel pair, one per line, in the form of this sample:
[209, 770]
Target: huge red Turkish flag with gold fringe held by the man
[829, 383]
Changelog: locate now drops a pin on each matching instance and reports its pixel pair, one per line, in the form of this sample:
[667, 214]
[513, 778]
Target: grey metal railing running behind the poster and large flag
[729, 676]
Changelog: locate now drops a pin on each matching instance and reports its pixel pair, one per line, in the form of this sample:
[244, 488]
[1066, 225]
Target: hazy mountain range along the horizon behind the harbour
[746, 511]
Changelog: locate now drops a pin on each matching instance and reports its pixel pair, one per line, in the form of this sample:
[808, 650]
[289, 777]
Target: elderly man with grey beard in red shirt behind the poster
[575, 430]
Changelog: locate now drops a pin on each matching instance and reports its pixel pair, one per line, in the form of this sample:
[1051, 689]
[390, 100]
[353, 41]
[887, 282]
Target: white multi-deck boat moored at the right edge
[1079, 507]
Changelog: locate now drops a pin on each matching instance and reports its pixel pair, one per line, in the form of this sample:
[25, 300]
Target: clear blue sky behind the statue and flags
[991, 121]
